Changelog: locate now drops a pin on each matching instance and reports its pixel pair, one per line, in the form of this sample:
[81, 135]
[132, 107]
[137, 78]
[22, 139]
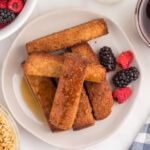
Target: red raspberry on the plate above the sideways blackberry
[124, 59]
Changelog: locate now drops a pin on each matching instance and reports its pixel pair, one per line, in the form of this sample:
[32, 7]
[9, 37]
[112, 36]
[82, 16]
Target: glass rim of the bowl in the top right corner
[136, 18]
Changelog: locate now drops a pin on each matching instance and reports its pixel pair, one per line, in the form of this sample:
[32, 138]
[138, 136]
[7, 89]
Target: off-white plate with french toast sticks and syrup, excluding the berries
[54, 84]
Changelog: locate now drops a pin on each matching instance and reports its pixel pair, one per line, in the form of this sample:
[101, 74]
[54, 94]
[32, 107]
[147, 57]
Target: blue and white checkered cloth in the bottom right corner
[142, 141]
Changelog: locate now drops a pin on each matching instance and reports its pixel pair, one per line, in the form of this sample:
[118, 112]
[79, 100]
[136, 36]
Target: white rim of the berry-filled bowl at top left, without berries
[19, 21]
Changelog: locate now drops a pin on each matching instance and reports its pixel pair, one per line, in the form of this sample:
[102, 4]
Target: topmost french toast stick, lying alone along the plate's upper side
[68, 37]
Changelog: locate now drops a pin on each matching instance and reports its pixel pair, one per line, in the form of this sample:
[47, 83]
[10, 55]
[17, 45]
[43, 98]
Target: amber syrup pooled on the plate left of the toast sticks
[30, 101]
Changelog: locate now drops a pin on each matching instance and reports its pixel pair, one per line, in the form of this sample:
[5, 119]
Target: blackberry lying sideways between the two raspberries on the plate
[125, 77]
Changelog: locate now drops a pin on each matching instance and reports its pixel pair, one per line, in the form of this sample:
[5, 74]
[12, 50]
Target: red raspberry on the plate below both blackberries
[122, 94]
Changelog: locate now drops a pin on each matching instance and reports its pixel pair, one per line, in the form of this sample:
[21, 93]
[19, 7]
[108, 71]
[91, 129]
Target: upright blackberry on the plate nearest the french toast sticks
[107, 58]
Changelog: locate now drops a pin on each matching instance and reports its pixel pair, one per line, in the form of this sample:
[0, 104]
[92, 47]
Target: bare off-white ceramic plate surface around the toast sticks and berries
[12, 74]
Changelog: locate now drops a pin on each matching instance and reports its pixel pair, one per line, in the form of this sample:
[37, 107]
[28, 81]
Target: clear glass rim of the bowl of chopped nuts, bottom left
[12, 124]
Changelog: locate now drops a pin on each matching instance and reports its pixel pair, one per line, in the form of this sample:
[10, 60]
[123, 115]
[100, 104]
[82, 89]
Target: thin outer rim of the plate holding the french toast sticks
[62, 11]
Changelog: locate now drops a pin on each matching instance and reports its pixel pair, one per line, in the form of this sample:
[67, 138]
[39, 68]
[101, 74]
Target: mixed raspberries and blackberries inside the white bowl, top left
[9, 9]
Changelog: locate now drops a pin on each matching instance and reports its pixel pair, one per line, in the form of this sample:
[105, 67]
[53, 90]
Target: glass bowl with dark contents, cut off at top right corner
[142, 16]
